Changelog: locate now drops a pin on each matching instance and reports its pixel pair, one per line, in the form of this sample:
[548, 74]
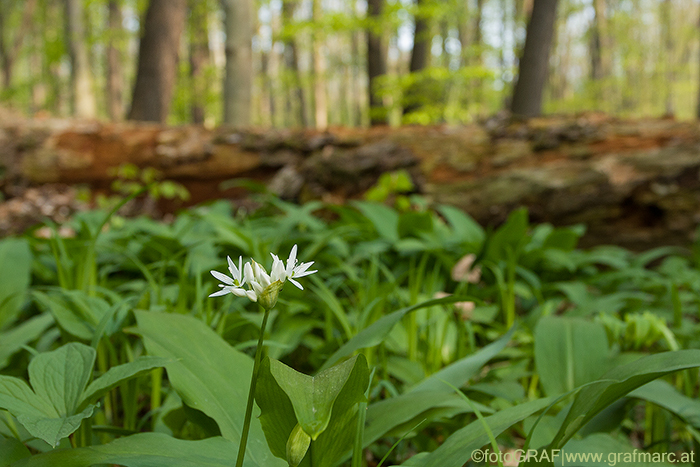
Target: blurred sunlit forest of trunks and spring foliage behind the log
[319, 63]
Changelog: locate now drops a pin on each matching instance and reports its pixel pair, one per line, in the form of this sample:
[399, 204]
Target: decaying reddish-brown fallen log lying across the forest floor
[632, 182]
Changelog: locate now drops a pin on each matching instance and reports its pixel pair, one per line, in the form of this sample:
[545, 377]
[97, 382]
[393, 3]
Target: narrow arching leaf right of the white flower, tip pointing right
[376, 332]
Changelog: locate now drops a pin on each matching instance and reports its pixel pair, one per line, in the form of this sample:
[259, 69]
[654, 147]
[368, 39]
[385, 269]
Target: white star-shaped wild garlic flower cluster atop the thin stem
[263, 287]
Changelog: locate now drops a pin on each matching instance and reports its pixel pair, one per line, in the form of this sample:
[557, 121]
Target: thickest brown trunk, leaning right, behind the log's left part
[158, 60]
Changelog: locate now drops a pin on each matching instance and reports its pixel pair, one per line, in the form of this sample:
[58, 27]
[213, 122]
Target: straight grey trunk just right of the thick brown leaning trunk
[238, 82]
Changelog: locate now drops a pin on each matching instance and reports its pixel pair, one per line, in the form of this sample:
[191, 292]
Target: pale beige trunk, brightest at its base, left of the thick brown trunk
[84, 105]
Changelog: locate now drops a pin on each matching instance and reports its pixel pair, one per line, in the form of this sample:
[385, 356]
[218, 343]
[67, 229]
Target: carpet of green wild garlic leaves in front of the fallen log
[421, 338]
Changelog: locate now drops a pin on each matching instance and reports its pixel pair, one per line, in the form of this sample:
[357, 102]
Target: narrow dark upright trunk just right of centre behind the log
[376, 61]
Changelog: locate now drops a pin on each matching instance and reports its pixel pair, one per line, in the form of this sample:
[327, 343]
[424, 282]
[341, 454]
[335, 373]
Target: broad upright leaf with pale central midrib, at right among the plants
[569, 352]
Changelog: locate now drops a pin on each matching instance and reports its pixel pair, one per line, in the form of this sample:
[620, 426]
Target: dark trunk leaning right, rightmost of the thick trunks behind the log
[532, 74]
